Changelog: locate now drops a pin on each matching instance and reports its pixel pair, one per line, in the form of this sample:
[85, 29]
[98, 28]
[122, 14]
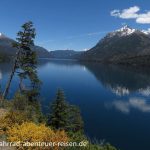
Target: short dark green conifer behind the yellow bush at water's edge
[63, 115]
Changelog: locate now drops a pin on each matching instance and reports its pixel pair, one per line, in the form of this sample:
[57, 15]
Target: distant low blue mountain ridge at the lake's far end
[65, 54]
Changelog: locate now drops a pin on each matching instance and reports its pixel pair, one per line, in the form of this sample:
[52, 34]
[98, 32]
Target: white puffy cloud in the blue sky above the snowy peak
[132, 13]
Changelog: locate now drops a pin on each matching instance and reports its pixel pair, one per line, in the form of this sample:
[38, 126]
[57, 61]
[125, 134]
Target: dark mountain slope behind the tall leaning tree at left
[6, 49]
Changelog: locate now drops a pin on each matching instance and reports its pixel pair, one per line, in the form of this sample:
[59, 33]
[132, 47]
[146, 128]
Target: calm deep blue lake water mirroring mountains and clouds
[114, 101]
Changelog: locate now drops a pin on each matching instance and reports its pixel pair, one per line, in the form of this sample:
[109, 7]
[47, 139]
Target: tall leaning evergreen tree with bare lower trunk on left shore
[25, 60]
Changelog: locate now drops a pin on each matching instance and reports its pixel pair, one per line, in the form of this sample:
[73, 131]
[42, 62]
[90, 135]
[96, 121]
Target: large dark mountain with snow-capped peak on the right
[123, 46]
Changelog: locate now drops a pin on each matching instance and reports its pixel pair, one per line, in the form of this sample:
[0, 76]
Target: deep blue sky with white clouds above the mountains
[72, 24]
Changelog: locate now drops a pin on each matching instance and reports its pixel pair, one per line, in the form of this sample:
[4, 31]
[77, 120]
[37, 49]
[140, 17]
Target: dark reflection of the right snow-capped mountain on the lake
[122, 80]
